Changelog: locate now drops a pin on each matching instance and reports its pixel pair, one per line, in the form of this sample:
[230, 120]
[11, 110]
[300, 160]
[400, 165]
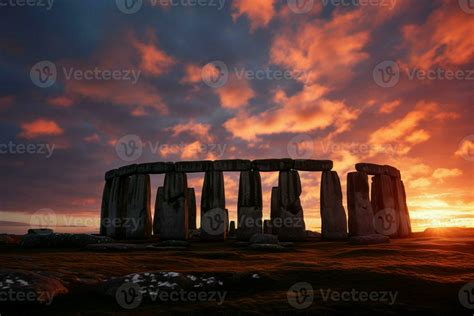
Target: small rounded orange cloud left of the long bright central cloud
[235, 93]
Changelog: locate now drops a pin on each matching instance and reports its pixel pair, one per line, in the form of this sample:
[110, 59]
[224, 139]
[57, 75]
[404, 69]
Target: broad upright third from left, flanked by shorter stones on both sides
[175, 207]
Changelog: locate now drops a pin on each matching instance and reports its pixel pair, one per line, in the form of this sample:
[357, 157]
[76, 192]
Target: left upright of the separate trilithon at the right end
[361, 216]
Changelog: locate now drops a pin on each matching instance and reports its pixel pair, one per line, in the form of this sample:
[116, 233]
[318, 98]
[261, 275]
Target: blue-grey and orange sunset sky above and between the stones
[389, 83]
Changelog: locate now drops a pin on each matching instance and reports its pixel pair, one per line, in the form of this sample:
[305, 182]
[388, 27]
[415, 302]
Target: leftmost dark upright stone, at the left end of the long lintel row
[117, 207]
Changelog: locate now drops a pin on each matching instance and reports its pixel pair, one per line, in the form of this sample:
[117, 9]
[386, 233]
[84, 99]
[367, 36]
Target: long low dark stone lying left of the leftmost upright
[62, 240]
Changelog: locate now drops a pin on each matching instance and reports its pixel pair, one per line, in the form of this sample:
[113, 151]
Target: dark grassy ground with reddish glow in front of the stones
[428, 273]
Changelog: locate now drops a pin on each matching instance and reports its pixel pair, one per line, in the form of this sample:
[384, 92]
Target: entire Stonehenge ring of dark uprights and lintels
[125, 210]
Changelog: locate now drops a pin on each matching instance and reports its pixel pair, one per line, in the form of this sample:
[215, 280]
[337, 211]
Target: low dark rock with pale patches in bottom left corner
[37, 288]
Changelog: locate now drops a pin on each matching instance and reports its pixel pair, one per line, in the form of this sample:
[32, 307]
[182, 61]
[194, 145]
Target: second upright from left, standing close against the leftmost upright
[138, 222]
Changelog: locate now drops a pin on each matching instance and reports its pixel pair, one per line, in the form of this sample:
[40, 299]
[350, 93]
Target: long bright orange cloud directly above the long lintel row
[303, 112]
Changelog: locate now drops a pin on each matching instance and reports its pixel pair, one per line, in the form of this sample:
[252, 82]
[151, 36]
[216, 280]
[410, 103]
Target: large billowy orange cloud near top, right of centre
[322, 49]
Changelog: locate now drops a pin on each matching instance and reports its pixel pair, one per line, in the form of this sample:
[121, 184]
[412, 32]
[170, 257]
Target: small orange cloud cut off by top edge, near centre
[260, 12]
